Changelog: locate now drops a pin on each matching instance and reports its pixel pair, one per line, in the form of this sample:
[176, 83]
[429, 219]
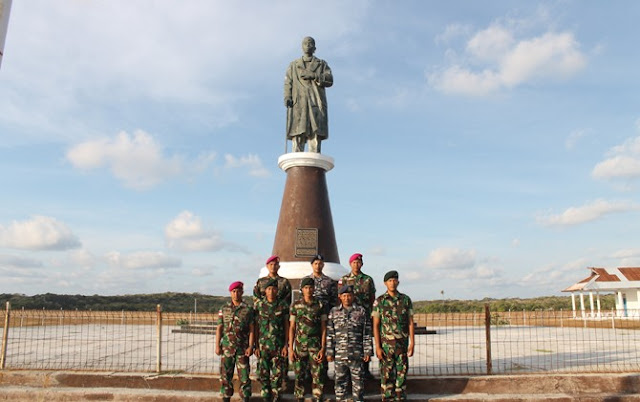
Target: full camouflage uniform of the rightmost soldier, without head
[394, 314]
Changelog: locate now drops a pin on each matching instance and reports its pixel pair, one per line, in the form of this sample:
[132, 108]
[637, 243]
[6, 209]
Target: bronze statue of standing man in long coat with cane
[305, 99]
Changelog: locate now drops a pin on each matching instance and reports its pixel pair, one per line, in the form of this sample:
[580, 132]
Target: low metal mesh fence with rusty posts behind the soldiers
[458, 343]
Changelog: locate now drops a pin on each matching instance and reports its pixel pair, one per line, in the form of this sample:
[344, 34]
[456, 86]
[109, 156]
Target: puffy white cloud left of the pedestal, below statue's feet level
[137, 160]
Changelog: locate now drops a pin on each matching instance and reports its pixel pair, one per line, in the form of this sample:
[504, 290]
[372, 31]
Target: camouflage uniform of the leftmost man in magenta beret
[235, 321]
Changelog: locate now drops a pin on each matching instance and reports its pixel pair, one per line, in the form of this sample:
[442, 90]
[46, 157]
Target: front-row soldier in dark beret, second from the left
[272, 323]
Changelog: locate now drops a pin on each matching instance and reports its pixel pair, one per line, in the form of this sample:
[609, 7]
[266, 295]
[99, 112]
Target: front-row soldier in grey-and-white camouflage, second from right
[349, 344]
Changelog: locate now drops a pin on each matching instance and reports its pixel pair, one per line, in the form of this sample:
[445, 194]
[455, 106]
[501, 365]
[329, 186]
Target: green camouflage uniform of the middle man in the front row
[308, 318]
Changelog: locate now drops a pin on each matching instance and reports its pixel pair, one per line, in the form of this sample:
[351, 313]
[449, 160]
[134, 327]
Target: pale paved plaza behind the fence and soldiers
[451, 351]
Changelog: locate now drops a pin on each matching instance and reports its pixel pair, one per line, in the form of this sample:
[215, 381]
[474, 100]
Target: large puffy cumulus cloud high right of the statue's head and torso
[494, 59]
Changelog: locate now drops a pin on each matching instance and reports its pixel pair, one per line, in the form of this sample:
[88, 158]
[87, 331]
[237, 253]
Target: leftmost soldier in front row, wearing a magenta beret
[234, 343]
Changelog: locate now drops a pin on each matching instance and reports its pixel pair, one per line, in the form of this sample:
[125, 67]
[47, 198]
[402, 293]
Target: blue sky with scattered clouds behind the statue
[487, 149]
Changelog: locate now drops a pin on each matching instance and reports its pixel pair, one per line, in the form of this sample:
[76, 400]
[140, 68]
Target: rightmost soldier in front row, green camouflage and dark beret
[393, 332]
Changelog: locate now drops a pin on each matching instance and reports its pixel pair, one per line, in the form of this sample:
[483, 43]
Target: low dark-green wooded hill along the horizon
[184, 302]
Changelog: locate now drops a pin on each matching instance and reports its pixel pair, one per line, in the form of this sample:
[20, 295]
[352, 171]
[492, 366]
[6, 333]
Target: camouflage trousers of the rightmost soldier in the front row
[393, 371]
